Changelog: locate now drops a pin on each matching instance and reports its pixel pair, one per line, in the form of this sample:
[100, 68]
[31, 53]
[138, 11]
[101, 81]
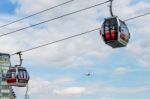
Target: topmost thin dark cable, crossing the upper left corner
[36, 13]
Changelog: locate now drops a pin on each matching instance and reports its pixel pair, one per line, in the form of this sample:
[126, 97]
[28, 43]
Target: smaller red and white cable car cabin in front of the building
[17, 76]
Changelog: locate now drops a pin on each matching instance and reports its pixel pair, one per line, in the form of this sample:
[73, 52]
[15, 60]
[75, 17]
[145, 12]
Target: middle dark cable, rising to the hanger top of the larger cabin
[53, 19]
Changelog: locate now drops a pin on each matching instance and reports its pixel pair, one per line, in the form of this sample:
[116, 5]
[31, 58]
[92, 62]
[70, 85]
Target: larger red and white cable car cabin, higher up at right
[115, 32]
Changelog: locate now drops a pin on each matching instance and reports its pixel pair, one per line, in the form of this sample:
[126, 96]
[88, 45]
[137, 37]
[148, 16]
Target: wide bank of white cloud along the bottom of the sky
[64, 87]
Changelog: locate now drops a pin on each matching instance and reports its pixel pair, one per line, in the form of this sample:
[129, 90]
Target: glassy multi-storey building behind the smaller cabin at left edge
[6, 92]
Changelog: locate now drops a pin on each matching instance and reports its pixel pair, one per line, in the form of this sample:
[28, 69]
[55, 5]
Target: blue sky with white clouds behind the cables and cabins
[59, 71]
